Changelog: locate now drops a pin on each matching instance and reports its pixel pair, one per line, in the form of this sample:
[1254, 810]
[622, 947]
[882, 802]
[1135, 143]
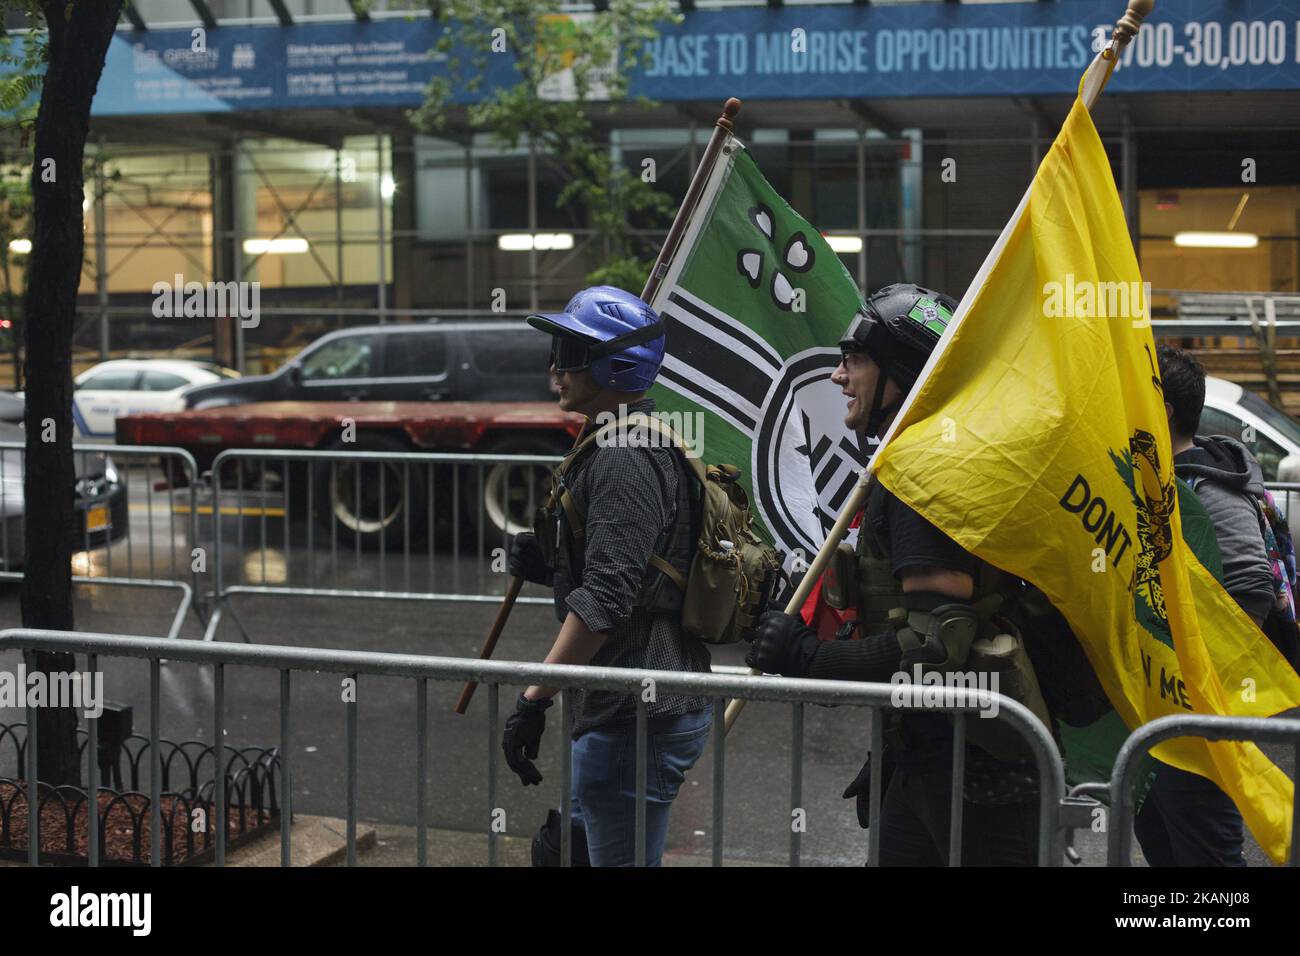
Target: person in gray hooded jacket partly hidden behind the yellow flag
[1188, 820]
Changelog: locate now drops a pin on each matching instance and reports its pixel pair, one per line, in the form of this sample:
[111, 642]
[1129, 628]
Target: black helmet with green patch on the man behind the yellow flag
[899, 330]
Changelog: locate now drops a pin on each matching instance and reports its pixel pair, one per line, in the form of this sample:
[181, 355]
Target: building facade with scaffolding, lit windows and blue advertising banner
[272, 144]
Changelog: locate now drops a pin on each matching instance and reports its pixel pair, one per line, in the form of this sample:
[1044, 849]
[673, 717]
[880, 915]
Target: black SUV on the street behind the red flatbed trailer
[499, 361]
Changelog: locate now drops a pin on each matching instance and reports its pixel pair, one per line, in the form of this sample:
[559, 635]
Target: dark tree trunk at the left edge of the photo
[80, 33]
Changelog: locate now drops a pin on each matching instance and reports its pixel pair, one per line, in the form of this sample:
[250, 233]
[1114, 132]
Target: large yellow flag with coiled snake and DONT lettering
[1039, 443]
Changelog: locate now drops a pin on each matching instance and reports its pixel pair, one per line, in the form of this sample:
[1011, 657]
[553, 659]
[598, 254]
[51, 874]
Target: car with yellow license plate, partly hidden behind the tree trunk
[101, 501]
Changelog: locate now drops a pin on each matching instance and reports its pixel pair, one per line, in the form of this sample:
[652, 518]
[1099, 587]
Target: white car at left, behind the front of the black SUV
[131, 387]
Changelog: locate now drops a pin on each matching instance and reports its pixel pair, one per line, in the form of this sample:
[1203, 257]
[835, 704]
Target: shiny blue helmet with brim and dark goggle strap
[609, 331]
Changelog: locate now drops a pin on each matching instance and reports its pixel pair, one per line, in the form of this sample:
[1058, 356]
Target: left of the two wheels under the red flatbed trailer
[372, 501]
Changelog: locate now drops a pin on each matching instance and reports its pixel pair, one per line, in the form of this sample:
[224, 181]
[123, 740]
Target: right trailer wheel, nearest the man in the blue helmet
[510, 492]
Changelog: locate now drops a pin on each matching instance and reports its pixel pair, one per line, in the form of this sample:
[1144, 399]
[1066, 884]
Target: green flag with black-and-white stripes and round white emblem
[756, 302]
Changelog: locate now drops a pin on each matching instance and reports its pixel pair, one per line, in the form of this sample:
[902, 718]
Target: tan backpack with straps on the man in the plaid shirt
[734, 573]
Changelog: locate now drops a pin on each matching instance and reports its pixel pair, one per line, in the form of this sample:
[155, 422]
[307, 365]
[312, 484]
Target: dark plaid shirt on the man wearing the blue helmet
[630, 498]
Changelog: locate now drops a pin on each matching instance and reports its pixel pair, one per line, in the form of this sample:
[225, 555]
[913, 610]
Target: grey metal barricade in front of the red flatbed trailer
[371, 525]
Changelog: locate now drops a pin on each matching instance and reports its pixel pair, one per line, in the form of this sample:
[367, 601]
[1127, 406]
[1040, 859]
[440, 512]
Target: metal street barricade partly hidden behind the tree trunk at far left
[111, 482]
